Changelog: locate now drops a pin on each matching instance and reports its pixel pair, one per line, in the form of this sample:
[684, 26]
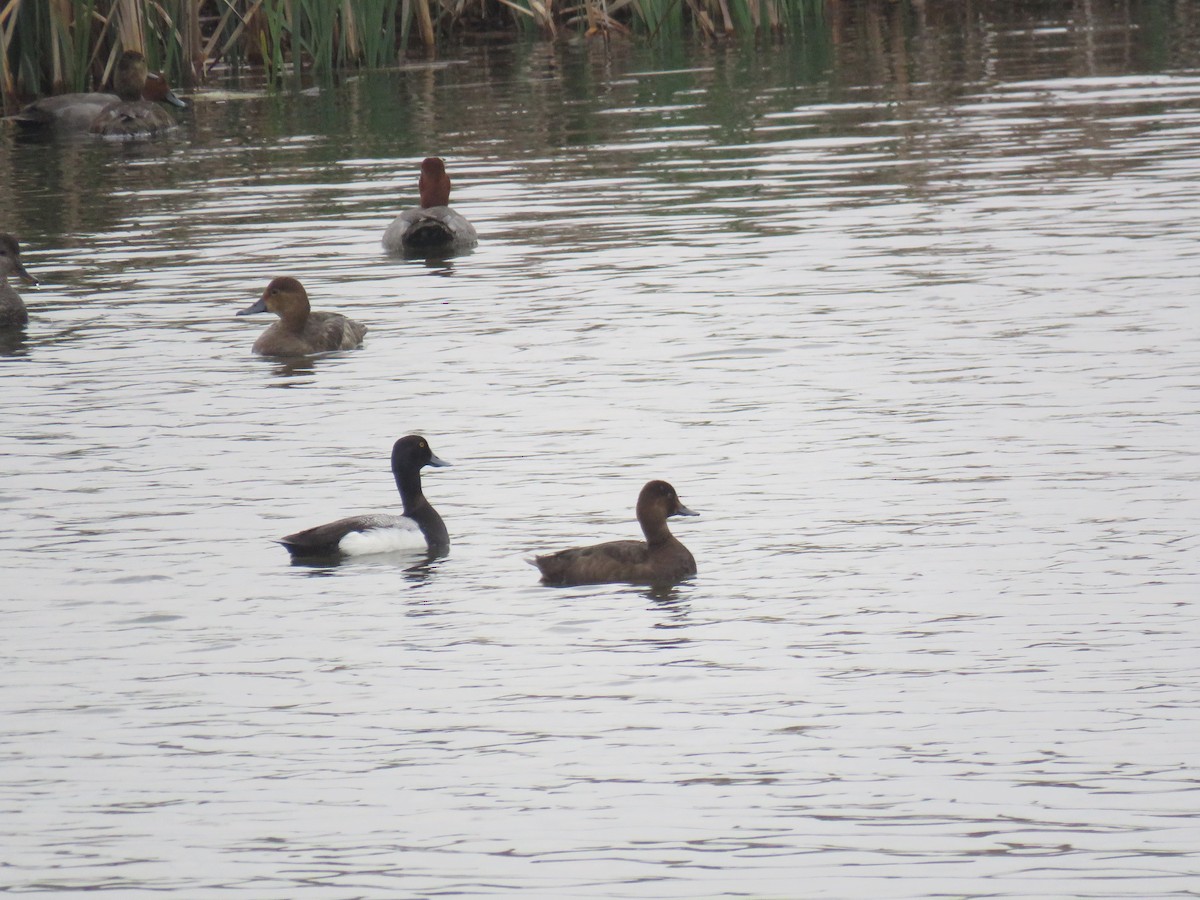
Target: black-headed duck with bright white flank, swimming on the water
[421, 527]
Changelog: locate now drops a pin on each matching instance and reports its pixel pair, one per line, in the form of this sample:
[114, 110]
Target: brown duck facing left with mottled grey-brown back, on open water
[299, 331]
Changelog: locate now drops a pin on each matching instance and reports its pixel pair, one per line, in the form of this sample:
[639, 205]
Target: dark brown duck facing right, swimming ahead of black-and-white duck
[661, 560]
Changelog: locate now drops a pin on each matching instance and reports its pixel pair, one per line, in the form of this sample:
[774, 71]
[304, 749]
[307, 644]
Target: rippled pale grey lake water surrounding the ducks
[905, 309]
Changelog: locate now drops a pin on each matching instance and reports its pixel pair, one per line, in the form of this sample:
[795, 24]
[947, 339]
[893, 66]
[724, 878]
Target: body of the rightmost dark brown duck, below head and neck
[633, 562]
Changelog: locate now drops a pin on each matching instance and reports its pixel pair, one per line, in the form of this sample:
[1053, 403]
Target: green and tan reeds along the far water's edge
[53, 46]
